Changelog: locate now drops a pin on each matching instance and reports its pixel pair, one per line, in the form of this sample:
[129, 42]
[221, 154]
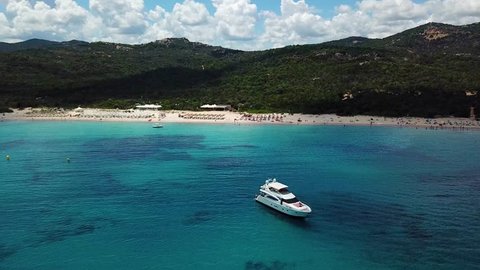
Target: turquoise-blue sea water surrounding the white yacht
[181, 197]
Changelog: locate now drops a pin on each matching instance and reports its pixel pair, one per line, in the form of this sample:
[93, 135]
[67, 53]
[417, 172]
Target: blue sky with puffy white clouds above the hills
[237, 24]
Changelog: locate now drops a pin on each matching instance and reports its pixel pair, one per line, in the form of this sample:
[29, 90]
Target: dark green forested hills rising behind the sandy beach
[433, 69]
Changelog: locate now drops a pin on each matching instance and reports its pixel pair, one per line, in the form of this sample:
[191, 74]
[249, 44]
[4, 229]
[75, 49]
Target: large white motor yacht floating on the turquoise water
[277, 196]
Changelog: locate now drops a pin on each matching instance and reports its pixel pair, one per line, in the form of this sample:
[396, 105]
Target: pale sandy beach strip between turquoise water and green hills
[227, 117]
